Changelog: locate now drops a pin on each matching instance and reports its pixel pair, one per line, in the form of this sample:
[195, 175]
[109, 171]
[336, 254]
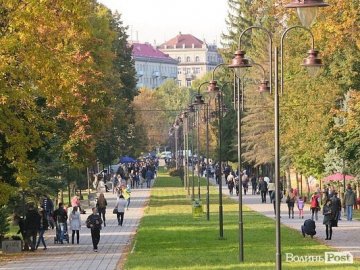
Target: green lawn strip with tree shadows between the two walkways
[170, 238]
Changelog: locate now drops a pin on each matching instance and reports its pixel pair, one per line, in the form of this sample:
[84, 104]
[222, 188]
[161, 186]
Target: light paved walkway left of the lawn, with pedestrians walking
[114, 243]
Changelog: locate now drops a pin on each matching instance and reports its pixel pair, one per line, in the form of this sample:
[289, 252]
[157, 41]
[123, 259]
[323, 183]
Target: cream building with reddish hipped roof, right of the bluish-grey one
[195, 57]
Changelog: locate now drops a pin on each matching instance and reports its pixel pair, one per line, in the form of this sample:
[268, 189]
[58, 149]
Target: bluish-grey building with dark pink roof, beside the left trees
[152, 66]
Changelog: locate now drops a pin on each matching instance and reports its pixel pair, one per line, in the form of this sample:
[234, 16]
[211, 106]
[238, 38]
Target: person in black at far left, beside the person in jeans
[32, 226]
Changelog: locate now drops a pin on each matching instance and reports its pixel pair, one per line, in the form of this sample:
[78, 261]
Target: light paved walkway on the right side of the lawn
[346, 237]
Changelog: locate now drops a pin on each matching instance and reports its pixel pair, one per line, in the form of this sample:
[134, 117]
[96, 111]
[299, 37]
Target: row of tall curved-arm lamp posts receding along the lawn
[307, 11]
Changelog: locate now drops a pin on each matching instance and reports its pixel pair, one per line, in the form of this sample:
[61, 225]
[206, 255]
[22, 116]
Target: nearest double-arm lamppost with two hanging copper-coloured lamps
[311, 62]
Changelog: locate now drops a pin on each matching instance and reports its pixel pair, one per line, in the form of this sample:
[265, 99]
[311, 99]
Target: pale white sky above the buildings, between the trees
[156, 21]
